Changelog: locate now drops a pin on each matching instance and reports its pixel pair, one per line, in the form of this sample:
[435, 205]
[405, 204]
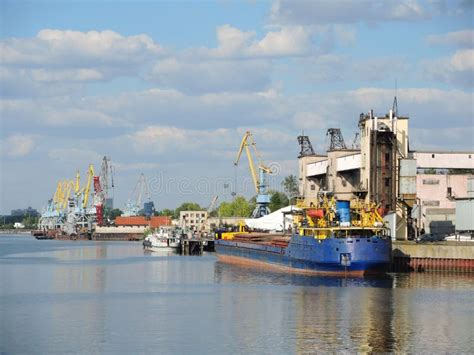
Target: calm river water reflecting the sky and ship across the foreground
[112, 297]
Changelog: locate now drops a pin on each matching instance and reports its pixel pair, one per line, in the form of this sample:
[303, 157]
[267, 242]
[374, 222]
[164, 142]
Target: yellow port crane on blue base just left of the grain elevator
[259, 180]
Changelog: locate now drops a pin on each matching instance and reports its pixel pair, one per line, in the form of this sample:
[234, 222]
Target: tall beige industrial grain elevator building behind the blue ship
[419, 188]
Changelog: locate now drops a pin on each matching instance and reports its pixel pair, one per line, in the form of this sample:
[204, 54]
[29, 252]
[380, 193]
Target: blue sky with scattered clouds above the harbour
[168, 88]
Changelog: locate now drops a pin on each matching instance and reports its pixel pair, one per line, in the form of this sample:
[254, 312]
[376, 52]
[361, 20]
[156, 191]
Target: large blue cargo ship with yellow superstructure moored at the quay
[330, 238]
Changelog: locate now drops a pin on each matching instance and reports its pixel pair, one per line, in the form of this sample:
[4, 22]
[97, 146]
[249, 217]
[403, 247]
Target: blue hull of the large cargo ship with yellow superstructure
[356, 256]
